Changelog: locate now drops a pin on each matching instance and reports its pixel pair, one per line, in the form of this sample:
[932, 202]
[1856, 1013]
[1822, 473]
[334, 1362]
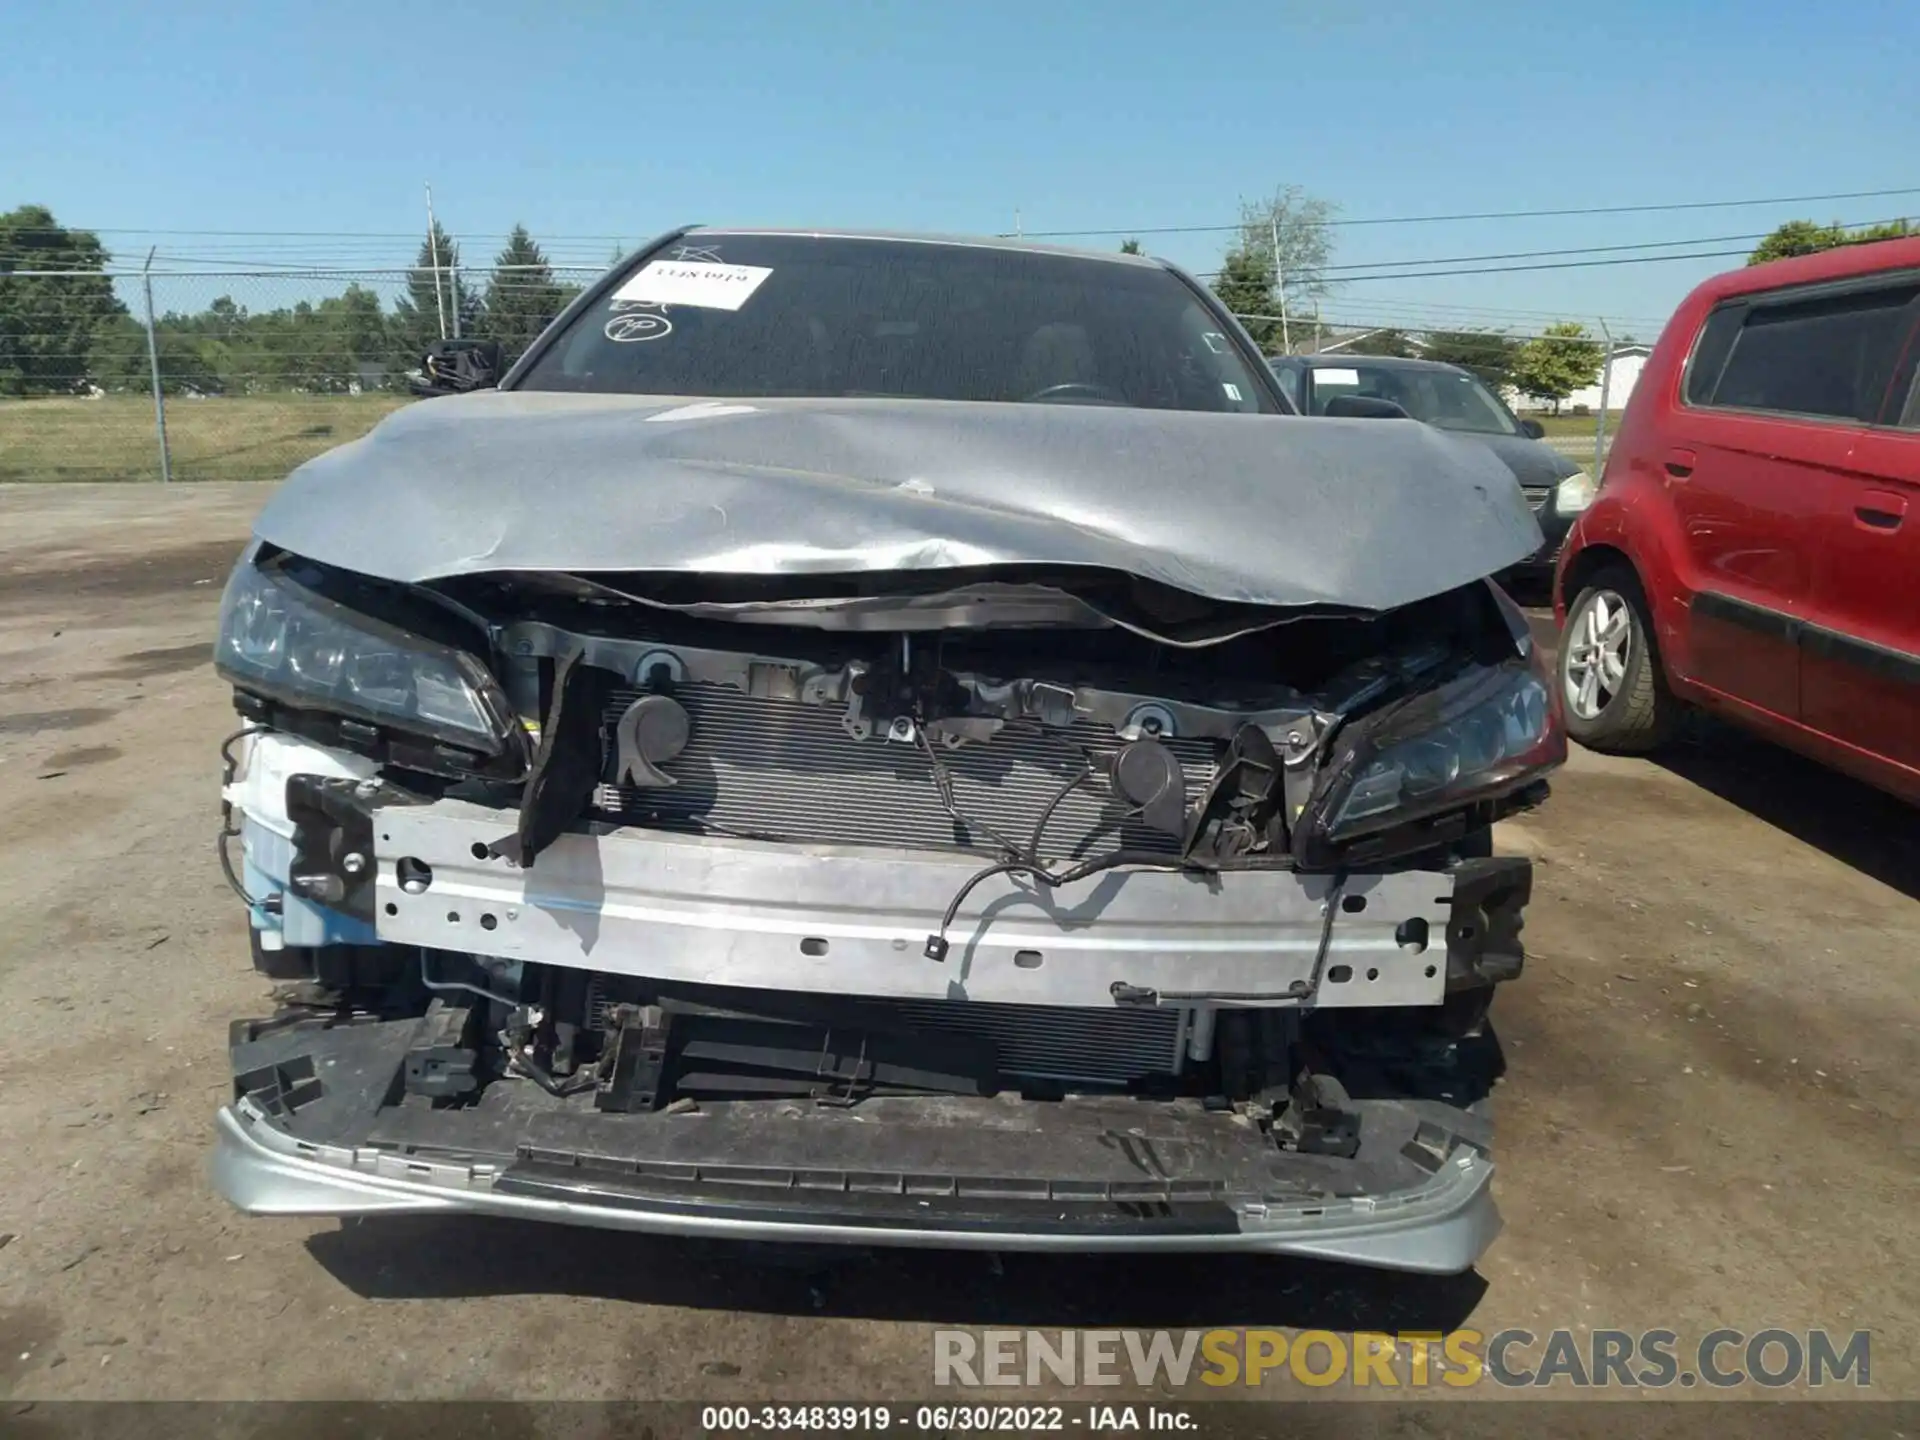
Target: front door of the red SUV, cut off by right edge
[1861, 648]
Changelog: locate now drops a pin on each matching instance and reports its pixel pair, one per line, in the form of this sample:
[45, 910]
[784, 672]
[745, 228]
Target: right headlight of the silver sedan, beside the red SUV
[1470, 740]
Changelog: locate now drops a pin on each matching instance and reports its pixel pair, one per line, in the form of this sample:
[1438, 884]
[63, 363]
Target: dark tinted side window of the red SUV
[1825, 356]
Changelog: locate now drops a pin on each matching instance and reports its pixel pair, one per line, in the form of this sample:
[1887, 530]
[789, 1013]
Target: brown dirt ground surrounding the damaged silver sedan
[1710, 1113]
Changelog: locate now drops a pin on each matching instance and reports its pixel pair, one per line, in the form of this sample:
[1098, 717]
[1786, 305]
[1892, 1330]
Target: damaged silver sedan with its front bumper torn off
[886, 740]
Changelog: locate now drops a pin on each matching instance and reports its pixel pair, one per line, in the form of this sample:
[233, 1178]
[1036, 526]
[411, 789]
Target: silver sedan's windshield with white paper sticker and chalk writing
[763, 316]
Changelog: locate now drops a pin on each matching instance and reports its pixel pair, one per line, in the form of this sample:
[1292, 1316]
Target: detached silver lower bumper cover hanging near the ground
[1437, 1224]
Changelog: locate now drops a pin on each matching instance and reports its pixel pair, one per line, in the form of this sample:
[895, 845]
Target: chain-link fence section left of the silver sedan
[243, 375]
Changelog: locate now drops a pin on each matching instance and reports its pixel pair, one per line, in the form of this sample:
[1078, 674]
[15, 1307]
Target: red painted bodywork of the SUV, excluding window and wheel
[1779, 554]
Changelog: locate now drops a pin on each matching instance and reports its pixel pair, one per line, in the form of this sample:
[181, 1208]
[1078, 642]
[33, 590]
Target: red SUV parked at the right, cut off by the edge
[1756, 542]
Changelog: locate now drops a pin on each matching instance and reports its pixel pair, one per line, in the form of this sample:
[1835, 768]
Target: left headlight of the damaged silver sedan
[295, 646]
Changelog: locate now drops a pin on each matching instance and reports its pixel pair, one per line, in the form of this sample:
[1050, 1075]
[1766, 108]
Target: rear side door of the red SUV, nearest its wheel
[1758, 464]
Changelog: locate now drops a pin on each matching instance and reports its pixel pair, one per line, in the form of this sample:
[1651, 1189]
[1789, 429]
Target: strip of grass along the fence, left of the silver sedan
[112, 439]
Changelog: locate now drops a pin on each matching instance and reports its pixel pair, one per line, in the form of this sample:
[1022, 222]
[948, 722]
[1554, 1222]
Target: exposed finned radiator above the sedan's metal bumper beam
[771, 769]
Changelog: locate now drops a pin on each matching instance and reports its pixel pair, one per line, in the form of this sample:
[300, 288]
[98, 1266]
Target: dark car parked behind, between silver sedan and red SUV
[1460, 402]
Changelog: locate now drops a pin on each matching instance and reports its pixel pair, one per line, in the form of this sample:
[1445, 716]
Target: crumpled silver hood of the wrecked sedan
[1237, 508]
